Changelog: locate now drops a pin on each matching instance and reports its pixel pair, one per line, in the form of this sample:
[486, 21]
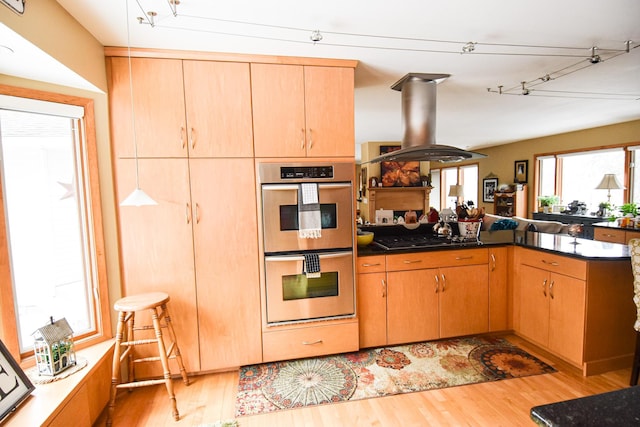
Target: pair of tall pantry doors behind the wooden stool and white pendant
[181, 248]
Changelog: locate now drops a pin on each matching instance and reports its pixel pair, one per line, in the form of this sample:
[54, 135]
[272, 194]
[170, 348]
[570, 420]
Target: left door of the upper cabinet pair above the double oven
[278, 110]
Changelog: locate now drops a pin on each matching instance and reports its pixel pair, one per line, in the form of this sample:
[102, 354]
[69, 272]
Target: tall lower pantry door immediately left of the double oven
[226, 263]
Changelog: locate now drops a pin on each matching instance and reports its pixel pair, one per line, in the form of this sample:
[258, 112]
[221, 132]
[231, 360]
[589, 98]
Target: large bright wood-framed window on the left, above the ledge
[52, 219]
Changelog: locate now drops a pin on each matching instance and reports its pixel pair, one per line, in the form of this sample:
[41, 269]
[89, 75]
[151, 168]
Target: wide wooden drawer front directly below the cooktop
[448, 258]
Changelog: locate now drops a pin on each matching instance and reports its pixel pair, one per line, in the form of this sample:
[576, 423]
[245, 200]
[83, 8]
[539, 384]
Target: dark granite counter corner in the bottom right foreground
[615, 408]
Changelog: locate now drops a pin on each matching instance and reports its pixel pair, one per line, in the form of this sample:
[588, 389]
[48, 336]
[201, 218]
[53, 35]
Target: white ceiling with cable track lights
[515, 42]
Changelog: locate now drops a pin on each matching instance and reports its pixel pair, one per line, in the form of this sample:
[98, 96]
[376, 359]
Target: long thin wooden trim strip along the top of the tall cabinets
[229, 57]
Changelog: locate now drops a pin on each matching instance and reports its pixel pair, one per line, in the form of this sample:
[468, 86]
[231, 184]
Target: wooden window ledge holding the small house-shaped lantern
[48, 401]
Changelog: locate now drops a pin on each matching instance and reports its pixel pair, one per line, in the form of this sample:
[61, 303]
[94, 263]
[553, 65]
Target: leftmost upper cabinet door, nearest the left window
[158, 103]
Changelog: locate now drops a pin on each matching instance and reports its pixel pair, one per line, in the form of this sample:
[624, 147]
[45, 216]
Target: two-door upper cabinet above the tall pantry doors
[182, 108]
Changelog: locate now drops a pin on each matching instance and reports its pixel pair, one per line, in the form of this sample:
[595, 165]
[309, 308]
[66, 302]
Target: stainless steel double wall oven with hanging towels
[292, 295]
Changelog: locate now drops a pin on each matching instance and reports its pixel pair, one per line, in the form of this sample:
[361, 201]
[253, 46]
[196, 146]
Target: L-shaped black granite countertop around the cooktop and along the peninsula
[557, 243]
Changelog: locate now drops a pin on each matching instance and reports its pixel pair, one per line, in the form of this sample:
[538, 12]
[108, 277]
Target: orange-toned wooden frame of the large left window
[100, 292]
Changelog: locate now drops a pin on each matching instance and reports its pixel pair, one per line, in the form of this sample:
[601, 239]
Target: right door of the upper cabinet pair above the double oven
[329, 111]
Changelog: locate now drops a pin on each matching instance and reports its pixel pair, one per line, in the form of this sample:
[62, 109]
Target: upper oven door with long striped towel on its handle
[280, 217]
